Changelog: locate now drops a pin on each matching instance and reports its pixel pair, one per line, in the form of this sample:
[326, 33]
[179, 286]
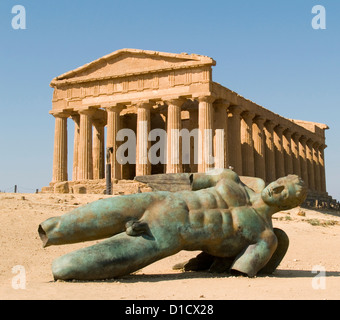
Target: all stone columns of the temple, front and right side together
[228, 136]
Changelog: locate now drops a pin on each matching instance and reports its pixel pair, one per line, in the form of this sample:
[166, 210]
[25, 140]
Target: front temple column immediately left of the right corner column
[174, 146]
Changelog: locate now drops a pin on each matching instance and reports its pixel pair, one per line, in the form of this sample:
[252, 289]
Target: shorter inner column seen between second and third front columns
[98, 150]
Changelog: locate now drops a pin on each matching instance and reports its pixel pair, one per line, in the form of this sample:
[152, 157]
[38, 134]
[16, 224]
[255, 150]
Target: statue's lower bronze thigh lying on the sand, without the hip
[114, 257]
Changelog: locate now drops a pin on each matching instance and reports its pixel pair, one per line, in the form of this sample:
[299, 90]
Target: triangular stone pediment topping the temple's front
[128, 62]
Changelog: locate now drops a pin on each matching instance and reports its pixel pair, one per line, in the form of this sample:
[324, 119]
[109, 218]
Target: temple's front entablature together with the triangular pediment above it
[128, 75]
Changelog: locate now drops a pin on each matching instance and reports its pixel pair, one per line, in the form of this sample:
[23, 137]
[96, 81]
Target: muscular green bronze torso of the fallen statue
[218, 220]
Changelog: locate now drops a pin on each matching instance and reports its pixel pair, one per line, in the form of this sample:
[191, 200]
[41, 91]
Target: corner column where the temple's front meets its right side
[205, 125]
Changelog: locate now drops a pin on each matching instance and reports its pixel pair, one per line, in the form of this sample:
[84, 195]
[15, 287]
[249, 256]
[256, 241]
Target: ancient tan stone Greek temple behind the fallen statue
[145, 90]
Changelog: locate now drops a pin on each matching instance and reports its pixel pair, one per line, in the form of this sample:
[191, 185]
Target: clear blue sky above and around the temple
[265, 50]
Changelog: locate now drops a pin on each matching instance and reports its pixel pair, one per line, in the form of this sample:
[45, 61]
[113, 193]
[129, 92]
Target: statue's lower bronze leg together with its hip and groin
[144, 242]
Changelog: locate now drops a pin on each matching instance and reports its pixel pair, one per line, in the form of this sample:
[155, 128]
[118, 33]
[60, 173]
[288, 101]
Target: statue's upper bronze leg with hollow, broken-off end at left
[97, 220]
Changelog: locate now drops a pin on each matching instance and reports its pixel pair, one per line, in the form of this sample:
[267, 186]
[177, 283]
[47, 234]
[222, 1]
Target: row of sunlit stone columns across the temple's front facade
[89, 143]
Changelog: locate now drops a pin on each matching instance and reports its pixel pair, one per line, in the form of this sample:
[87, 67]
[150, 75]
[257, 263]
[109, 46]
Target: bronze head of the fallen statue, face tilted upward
[285, 193]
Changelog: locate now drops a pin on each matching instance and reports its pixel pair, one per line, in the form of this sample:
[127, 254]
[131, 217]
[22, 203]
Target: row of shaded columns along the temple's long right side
[269, 151]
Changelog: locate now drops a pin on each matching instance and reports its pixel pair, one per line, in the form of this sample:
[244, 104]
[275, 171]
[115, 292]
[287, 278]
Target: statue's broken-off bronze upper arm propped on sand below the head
[257, 255]
